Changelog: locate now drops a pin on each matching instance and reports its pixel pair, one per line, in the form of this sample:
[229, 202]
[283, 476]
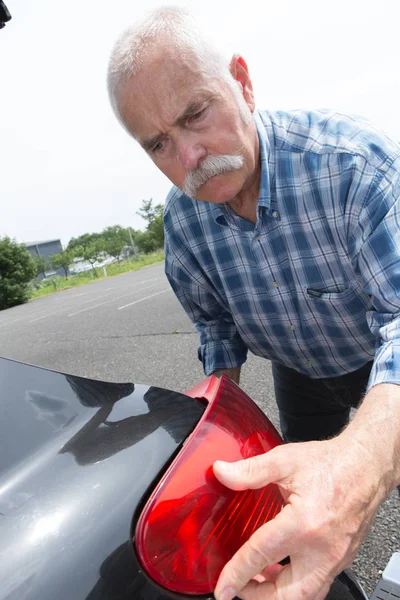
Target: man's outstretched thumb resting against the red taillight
[255, 472]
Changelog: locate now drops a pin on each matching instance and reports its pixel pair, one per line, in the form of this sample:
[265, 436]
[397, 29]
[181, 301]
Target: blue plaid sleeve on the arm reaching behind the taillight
[221, 346]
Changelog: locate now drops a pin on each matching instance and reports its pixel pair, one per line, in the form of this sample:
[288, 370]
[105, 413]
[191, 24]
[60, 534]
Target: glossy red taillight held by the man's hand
[192, 525]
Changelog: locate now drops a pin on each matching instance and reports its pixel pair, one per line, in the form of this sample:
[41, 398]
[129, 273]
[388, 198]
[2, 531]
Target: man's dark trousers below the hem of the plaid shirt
[316, 409]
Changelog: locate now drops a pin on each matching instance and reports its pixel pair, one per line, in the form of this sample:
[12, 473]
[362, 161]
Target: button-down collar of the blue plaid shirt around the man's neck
[221, 212]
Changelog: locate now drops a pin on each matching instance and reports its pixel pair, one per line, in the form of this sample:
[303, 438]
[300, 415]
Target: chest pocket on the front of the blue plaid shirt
[345, 306]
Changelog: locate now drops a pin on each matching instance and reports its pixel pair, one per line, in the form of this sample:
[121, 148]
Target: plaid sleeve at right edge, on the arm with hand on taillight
[378, 263]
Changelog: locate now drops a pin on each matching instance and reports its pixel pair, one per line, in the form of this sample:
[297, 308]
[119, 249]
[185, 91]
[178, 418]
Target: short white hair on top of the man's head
[175, 25]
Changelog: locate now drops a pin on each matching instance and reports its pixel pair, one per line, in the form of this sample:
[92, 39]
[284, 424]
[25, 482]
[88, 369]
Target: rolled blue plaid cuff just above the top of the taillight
[220, 355]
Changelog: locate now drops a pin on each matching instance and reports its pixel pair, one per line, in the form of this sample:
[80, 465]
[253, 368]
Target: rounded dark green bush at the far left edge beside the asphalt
[17, 269]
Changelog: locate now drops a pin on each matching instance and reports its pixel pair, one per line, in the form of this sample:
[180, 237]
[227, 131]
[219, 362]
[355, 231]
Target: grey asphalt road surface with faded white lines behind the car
[131, 328]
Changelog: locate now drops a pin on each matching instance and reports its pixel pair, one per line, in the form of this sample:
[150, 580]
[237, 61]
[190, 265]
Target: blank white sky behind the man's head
[66, 165]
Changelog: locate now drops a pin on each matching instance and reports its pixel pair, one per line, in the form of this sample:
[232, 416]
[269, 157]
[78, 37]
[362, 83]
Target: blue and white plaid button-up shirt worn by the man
[315, 283]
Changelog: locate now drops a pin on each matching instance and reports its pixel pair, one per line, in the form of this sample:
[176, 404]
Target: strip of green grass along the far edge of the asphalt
[56, 284]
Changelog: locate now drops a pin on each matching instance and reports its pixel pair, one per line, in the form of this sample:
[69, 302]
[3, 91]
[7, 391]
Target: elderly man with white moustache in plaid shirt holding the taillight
[282, 237]
